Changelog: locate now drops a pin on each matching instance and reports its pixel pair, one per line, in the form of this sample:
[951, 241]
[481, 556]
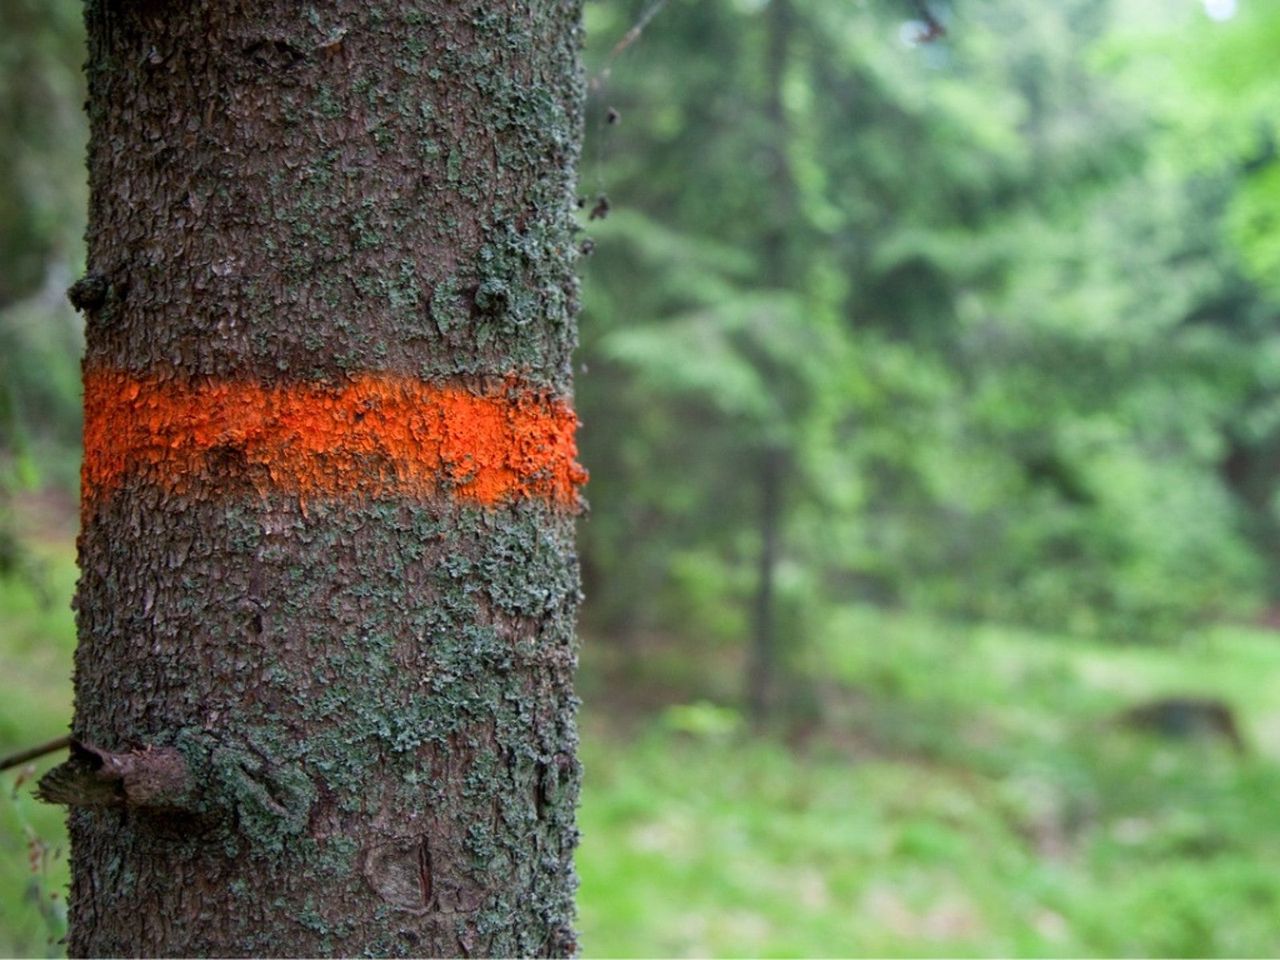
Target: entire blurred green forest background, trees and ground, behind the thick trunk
[931, 386]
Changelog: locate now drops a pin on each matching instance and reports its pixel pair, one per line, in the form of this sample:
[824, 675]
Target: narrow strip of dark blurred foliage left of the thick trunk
[43, 199]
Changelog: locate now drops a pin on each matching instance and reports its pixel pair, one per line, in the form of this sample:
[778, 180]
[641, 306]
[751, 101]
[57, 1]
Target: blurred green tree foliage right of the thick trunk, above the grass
[1012, 363]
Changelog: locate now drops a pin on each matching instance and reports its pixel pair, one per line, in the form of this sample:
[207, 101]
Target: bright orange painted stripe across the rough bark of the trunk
[378, 435]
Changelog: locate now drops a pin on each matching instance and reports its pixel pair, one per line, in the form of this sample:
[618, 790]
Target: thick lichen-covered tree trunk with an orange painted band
[323, 688]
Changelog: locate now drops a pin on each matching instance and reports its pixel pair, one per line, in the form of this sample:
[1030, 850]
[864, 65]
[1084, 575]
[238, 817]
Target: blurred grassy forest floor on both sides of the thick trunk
[941, 790]
